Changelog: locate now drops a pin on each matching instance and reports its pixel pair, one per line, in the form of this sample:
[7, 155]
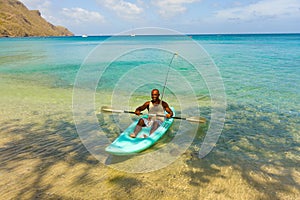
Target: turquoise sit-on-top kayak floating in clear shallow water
[125, 145]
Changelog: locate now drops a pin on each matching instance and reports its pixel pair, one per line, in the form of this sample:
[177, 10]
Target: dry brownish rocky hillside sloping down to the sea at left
[17, 21]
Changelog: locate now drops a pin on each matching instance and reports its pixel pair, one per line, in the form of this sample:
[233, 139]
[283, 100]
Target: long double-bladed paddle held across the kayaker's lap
[190, 119]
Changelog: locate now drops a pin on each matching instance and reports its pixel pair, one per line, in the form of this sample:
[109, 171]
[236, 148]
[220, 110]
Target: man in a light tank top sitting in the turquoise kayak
[155, 106]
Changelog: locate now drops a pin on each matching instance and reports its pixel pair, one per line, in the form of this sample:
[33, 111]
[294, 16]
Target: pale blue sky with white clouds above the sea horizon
[97, 17]
